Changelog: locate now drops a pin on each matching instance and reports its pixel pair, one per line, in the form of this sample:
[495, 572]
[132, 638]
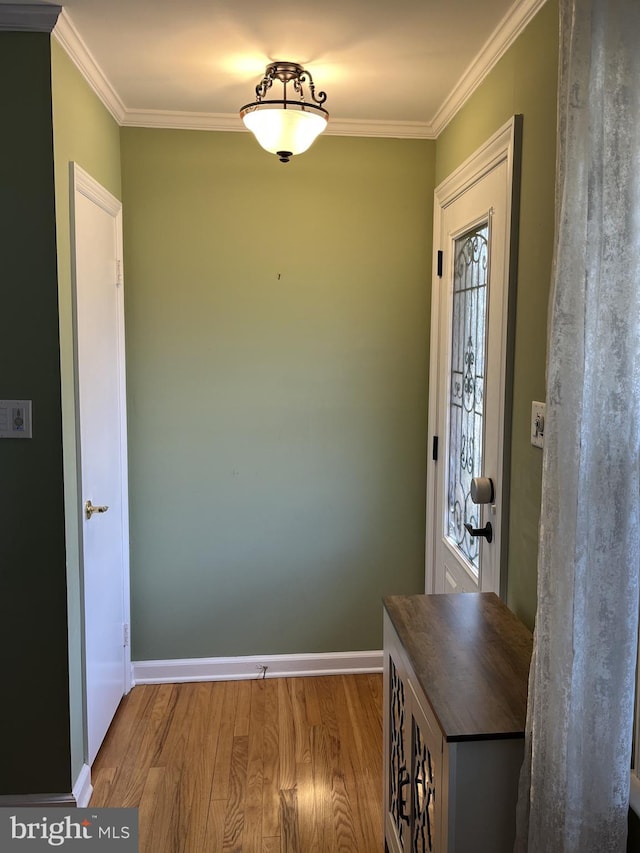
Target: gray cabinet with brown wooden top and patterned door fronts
[455, 687]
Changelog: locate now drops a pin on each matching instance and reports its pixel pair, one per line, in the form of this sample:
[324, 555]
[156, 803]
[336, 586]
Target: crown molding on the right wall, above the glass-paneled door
[500, 40]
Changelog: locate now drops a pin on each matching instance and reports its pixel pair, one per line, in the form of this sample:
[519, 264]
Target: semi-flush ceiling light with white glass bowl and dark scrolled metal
[282, 126]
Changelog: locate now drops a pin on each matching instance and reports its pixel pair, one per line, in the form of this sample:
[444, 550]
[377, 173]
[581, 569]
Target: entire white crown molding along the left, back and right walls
[507, 31]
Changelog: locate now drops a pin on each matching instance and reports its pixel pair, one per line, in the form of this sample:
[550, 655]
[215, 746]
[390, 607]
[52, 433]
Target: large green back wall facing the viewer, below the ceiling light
[277, 350]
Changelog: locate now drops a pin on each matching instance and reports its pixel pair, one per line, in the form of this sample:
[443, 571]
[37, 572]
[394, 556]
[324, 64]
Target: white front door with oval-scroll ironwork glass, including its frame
[466, 512]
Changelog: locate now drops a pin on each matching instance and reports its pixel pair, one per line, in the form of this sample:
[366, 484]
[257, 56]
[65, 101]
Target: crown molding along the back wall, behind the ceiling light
[232, 122]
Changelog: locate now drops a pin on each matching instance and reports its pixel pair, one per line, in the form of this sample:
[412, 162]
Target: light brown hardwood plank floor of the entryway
[288, 765]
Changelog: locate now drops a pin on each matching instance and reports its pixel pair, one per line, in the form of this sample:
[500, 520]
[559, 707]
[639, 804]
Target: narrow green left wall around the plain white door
[86, 133]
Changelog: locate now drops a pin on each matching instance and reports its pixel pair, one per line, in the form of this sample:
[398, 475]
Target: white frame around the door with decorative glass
[504, 145]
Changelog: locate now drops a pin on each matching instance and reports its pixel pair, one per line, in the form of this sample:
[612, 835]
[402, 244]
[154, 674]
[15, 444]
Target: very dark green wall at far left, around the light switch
[34, 711]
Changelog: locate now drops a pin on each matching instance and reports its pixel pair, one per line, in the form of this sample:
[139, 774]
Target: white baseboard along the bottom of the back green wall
[253, 666]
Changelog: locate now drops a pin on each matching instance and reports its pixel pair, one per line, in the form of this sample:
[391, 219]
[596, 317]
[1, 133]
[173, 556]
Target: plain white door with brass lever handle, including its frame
[101, 401]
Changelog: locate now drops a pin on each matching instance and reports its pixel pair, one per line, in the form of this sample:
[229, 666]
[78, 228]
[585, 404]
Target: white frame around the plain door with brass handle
[82, 183]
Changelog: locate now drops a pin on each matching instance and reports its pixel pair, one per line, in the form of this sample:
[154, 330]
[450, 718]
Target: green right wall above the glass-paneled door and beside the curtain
[523, 82]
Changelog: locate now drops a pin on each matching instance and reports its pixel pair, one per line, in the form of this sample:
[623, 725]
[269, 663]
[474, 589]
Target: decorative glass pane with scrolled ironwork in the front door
[466, 393]
